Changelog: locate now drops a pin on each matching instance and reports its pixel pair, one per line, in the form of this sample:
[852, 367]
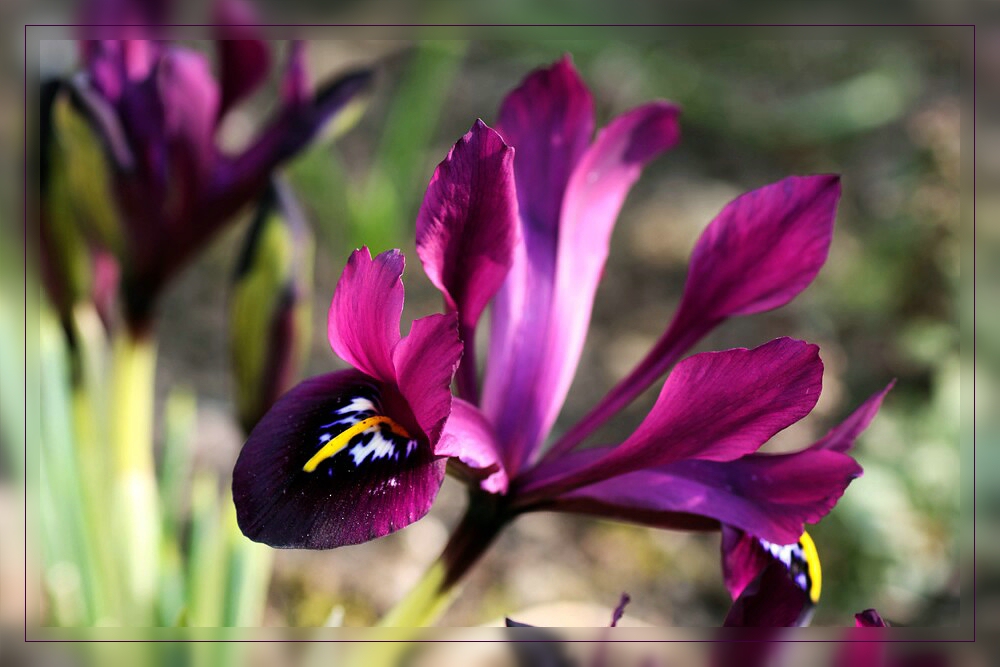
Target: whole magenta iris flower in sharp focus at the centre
[519, 220]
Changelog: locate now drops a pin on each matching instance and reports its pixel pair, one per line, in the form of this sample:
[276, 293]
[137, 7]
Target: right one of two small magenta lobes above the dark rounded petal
[425, 363]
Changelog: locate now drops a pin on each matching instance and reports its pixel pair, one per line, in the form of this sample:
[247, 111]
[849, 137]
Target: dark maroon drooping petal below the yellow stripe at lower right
[772, 600]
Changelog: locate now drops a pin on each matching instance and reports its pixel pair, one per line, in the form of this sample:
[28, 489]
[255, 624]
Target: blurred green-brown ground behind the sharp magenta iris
[884, 113]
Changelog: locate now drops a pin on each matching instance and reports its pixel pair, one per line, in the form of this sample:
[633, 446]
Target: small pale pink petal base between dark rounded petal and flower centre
[469, 437]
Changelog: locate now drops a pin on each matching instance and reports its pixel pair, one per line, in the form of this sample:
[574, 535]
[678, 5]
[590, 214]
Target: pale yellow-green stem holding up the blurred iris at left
[136, 505]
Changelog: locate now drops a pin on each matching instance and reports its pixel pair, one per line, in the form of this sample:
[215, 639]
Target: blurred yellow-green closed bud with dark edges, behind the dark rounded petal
[269, 309]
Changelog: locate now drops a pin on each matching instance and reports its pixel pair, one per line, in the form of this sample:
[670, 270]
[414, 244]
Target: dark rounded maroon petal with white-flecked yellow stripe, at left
[379, 482]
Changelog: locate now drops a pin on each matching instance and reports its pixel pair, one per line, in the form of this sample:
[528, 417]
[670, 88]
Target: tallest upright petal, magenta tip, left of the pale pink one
[549, 120]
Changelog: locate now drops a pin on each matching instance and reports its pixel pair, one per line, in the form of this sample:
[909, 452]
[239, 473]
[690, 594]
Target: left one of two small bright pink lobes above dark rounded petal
[363, 323]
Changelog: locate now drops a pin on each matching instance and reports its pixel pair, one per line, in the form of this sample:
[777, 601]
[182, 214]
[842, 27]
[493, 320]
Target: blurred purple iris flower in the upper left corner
[157, 109]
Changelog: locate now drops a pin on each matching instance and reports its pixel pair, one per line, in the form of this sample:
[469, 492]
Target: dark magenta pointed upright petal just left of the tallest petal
[467, 226]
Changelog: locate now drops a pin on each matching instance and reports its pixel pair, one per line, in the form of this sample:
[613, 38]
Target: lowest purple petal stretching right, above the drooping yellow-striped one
[771, 496]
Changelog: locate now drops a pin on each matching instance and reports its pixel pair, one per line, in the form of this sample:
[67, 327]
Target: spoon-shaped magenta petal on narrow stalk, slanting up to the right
[763, 249]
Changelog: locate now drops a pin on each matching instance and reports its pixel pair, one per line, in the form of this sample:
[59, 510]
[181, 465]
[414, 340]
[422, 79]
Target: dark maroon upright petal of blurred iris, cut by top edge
[244, 56]
